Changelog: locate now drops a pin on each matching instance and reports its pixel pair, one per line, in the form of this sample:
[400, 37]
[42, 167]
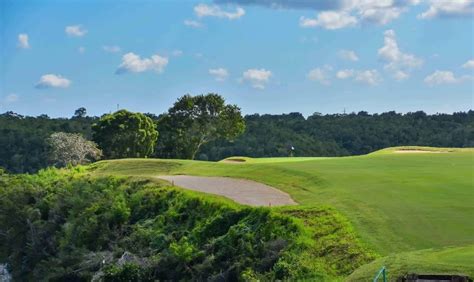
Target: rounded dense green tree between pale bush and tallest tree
[124, 134]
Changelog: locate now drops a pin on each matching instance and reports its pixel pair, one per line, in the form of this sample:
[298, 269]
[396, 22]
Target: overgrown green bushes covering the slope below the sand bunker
[67, 226]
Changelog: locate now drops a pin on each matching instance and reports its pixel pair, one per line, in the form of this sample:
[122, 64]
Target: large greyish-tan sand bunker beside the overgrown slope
[242, 191]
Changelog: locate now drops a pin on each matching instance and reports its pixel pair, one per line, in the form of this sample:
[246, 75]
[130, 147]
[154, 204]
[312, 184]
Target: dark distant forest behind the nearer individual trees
[23, 146]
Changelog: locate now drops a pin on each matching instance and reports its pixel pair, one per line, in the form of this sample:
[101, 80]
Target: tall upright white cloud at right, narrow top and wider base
[397, 62]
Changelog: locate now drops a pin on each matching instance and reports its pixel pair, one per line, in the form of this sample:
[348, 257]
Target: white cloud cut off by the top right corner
[448, 8]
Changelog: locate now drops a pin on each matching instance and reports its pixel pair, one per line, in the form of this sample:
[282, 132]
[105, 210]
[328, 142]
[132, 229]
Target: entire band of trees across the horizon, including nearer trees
[205, 127]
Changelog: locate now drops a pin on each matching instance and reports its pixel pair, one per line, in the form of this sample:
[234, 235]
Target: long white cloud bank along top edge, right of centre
[348, 13]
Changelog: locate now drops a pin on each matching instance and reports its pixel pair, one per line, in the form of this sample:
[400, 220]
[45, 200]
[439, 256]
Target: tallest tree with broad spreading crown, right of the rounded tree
[197, 120]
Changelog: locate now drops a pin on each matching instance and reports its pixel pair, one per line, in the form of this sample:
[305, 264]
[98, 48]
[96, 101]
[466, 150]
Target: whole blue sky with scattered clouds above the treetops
[267, 56]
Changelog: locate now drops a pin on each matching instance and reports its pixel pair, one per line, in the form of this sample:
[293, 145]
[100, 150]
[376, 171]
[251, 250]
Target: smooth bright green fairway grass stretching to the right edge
[397, 202]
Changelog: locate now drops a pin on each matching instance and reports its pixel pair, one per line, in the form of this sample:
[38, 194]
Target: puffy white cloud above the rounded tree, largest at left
[133, 63]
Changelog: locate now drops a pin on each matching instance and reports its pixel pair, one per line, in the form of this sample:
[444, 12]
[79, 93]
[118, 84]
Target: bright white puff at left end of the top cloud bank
[329, 20]
